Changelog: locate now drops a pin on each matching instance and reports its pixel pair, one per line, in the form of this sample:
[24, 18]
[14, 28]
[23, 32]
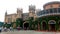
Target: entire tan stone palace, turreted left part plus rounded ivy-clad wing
[49, 17]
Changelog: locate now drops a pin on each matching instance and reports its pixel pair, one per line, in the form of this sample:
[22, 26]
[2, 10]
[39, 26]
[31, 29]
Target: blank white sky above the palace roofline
[11, 6]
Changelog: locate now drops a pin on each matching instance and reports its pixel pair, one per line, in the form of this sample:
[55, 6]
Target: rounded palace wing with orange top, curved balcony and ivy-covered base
[50, 16]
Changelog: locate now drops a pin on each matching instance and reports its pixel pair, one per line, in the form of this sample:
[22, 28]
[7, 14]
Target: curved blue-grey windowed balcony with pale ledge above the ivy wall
[52, 11]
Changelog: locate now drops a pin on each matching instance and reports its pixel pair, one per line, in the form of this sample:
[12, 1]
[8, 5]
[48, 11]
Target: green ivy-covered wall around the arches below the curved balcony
[47, 19]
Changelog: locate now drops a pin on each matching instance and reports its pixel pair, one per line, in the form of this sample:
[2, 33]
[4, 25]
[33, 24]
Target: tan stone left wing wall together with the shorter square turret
[12, 17]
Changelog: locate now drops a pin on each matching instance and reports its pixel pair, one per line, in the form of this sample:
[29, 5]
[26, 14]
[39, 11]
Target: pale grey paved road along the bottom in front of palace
[28, 32]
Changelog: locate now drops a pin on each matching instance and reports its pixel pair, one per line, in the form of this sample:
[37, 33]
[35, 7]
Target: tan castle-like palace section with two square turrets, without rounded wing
[9, 18]
